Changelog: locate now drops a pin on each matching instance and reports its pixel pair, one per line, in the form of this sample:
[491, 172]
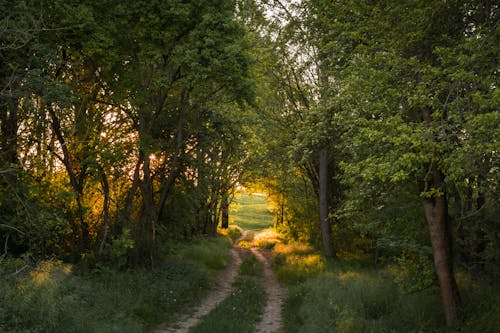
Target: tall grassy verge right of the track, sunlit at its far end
[343, 296]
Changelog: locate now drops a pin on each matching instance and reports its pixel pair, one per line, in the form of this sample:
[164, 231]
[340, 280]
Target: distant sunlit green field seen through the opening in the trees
[250, 212]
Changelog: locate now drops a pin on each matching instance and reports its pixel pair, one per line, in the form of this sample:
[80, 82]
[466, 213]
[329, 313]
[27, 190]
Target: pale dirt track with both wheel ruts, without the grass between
[271, 320]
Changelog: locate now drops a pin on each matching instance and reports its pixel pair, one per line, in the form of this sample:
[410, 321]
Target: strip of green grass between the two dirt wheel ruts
[237, 313]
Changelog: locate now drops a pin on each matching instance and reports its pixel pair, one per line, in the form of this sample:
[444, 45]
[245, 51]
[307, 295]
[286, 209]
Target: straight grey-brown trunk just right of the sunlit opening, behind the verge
[326, 233]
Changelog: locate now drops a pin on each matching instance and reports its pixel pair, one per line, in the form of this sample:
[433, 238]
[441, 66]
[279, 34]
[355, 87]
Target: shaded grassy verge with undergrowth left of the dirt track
[52, 298]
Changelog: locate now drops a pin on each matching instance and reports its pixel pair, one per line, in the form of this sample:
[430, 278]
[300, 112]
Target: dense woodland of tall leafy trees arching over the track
[373, 126]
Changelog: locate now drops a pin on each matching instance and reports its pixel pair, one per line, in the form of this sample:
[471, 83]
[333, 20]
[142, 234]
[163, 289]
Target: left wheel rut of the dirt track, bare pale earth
[221, 290]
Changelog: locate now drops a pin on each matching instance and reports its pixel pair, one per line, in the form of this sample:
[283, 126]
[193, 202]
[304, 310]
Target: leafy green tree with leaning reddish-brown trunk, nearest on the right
[404, 117]
